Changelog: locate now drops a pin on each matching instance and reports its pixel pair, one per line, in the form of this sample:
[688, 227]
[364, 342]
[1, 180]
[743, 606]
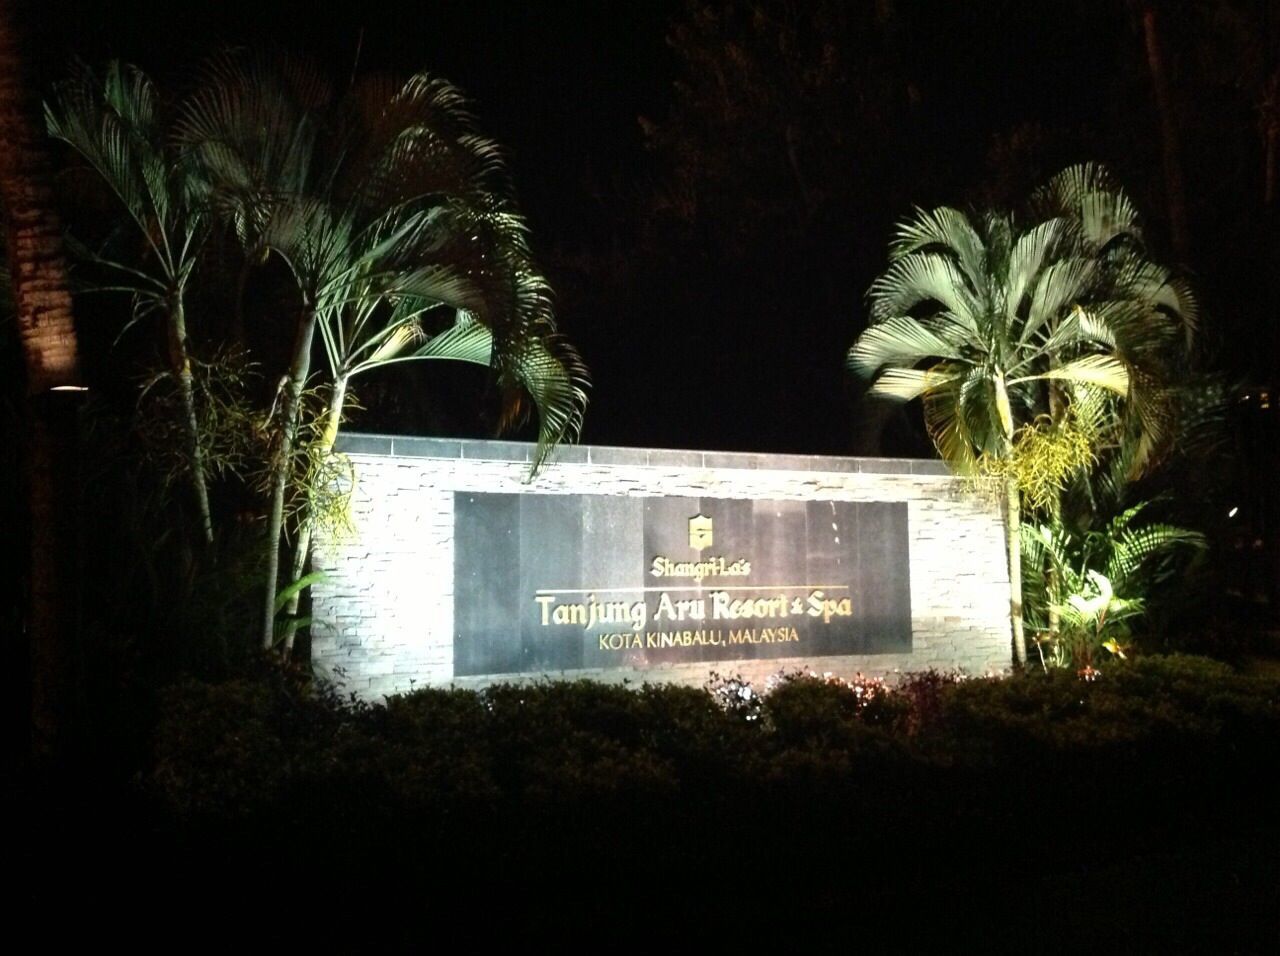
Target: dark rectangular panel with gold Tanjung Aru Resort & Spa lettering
[561, 583]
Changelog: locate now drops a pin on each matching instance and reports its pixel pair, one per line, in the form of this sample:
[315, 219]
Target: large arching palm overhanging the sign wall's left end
[388, 209]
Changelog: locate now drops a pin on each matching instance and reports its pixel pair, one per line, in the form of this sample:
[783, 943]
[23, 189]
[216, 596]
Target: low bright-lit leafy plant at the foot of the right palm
[1092, 582]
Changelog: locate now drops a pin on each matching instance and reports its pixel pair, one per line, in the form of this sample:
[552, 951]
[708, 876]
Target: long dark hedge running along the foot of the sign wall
[664, 775]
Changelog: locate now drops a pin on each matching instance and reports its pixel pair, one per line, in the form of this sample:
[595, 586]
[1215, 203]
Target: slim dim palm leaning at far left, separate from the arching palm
[116, 126]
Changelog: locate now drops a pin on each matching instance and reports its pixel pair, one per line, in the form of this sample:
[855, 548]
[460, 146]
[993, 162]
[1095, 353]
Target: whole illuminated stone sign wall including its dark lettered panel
[648, 565]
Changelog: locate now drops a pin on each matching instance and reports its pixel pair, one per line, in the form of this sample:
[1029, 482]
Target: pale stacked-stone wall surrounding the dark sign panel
[385, 614]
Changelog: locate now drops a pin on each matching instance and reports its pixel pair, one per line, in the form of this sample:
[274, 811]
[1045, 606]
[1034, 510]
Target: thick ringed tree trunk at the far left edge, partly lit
[44, 310]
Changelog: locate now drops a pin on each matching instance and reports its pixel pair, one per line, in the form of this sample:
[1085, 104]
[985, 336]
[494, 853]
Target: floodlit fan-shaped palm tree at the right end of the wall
[1058, 314]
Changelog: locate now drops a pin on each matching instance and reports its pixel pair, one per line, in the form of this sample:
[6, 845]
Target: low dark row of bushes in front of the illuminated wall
[584, 756]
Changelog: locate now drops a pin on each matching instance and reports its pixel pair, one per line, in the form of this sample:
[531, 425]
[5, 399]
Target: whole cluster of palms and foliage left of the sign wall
[396, 221]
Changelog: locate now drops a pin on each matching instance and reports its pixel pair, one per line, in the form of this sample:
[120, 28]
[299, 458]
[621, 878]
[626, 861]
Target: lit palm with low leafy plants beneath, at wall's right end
[1045, 346]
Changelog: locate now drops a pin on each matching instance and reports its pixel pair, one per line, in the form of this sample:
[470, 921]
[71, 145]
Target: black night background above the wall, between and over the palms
[726, 327]
